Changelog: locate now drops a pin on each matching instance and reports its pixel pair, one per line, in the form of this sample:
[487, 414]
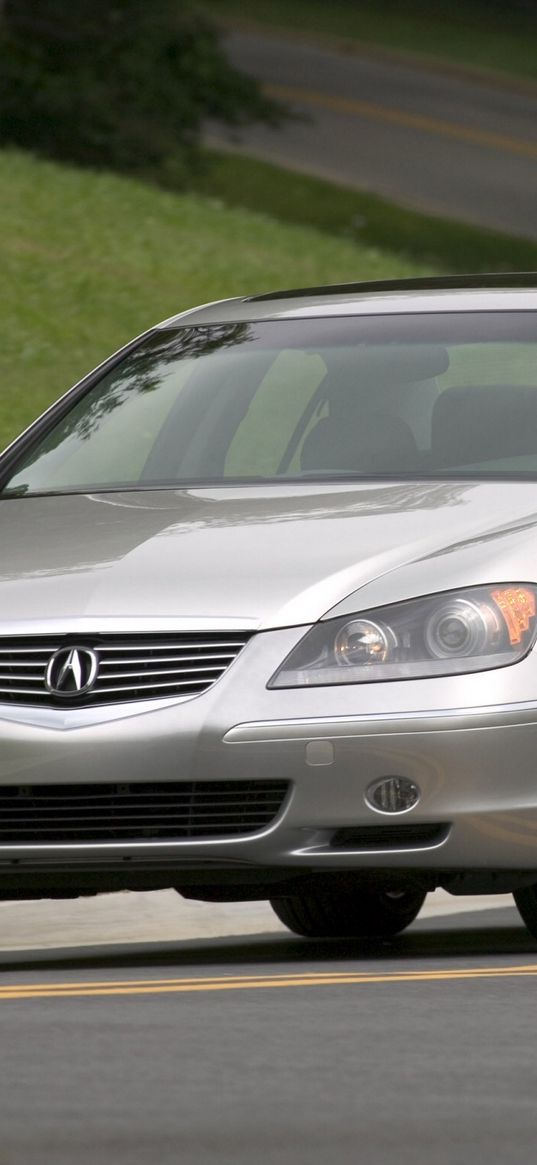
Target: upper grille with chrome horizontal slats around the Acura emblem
[131, 667]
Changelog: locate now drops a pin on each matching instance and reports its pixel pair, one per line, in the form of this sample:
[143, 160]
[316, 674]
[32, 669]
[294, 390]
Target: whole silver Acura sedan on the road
[268, 610]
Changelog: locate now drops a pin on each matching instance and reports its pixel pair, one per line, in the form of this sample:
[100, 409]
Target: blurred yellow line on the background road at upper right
[373, 112]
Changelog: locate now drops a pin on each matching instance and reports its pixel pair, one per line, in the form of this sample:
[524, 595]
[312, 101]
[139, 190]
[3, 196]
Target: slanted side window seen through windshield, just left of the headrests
[281, 400]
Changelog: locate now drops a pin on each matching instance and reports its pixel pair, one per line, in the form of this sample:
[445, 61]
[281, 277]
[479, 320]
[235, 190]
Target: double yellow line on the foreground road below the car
[255, 983]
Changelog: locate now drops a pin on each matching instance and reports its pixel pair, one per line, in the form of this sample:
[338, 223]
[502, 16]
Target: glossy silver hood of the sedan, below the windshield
[273, 556]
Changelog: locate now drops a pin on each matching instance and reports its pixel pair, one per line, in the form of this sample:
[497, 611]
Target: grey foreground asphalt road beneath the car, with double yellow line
[275, 1050]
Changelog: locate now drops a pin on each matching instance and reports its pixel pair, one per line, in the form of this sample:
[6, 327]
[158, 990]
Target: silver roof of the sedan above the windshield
[505, 292]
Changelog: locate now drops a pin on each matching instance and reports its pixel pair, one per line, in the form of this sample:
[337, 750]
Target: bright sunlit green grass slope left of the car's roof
[90, 260]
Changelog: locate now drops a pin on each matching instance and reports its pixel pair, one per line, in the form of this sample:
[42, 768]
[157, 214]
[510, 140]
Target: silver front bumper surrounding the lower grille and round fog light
[469, 743]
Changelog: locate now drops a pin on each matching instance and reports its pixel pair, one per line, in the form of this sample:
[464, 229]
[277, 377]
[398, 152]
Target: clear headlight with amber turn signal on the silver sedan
[441, 636]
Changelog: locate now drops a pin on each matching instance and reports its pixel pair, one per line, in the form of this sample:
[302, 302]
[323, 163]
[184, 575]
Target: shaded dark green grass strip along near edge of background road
[368, 220]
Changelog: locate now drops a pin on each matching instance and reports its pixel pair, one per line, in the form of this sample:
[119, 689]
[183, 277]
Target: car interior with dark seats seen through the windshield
[266, 414]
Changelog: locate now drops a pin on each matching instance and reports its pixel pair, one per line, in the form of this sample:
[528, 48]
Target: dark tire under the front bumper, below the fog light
[350, 914]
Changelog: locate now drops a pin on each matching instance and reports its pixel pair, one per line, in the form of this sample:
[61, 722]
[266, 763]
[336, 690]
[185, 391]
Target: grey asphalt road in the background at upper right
[433, 140]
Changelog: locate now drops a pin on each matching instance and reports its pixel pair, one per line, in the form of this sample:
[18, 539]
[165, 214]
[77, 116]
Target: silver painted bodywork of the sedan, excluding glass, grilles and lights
[277, 559]
